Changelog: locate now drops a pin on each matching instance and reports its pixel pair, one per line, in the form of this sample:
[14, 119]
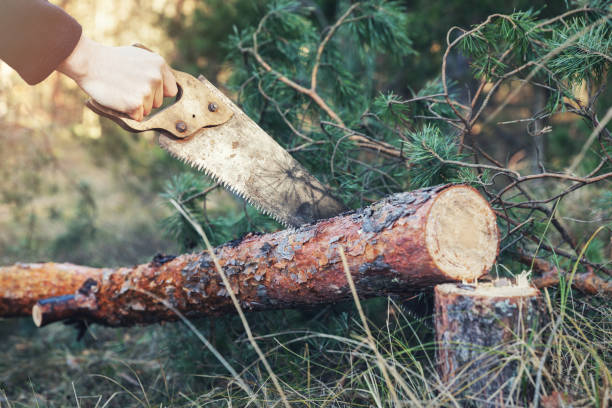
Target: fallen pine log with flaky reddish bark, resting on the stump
[405, 241]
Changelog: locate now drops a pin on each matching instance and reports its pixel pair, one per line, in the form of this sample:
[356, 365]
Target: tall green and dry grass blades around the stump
[368, 361]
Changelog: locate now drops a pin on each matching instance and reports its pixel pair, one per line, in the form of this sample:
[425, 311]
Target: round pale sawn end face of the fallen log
[461, 233]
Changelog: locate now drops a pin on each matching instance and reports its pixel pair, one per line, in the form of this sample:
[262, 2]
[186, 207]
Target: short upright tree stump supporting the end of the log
[476, 326]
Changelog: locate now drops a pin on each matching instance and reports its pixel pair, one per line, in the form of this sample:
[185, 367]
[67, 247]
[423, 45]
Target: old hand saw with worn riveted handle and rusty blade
[208, 131]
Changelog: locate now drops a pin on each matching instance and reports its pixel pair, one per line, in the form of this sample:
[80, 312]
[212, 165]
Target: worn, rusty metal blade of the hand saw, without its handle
[248, 162]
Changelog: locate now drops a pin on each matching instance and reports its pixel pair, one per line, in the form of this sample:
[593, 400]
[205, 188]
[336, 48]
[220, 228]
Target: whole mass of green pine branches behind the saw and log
[355, 50]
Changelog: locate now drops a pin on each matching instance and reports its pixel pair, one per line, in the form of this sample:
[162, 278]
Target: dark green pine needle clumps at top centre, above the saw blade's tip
[347, 64]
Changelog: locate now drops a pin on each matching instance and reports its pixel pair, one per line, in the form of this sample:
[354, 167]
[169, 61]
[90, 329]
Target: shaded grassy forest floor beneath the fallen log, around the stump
[320, 357]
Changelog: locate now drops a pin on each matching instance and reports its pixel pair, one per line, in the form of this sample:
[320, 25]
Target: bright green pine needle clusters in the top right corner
[575, 49]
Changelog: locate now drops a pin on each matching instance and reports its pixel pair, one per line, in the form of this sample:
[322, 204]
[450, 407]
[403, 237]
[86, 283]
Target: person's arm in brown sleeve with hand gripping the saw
[37, 38]
